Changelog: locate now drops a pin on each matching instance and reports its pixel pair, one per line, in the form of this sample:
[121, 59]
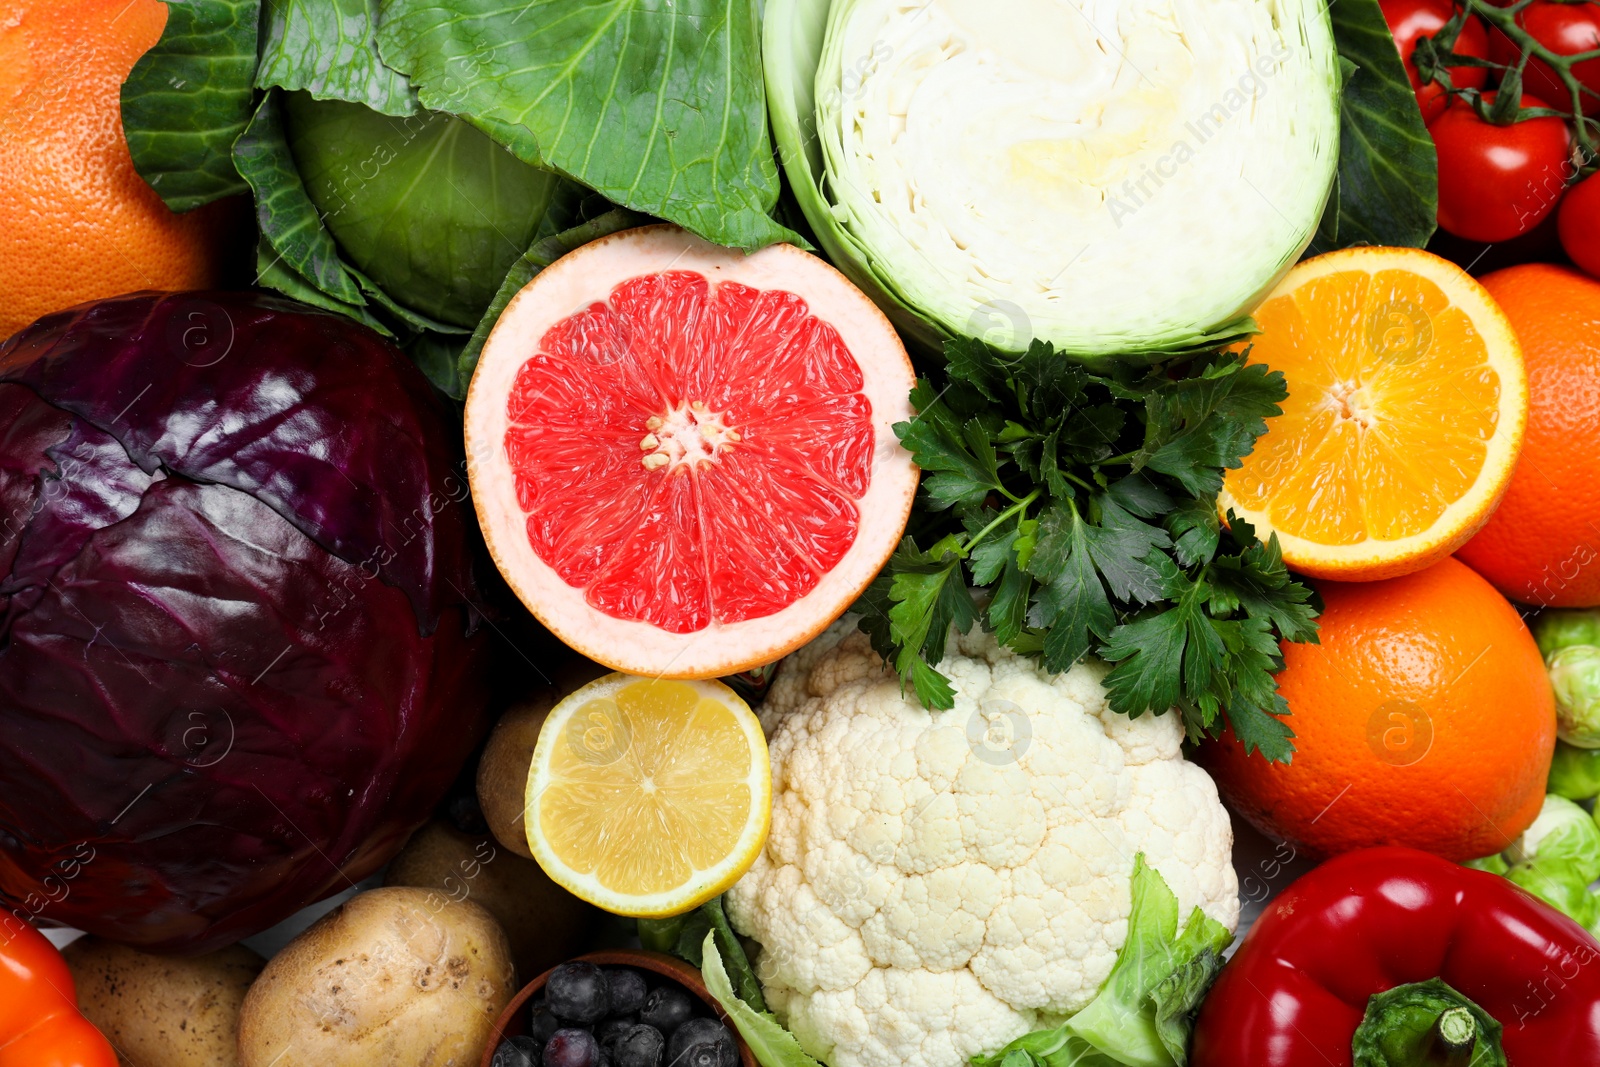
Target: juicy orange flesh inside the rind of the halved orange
[1393, 404]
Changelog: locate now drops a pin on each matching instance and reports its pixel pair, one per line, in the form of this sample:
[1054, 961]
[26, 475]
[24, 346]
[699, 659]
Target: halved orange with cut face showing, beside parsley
[1406, 414]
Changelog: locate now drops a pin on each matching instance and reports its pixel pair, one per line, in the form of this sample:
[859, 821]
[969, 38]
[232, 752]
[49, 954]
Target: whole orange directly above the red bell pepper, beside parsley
[1423, 719]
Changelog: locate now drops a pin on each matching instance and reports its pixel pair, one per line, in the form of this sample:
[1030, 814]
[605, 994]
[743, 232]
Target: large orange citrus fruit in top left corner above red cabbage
[78, 223]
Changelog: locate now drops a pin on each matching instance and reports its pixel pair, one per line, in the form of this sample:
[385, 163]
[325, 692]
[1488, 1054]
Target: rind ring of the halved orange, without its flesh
[1375, 557]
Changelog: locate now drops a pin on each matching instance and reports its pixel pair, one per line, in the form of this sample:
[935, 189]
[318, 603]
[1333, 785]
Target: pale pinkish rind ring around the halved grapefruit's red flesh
[721, 649]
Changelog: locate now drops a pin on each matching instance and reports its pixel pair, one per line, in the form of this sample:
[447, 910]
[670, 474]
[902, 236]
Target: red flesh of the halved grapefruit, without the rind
[690, 455]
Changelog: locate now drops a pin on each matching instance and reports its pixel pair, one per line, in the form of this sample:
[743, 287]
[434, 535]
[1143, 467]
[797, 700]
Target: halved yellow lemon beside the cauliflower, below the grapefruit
[649, 796]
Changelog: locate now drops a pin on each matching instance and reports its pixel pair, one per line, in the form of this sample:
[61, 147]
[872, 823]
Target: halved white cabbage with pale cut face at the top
[1116, 177]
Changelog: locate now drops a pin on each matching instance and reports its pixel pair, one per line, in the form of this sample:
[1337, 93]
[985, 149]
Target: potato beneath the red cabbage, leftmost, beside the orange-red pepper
[161, 1012]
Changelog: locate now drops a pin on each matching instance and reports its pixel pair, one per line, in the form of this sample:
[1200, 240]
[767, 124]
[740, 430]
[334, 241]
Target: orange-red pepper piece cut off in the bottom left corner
[39, 1012]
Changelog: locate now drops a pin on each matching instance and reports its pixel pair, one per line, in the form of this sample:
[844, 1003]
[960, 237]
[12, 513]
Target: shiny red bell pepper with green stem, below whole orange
[1399, 949]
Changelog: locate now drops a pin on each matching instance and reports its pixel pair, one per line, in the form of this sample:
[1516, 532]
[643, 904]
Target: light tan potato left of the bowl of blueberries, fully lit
[396, 977]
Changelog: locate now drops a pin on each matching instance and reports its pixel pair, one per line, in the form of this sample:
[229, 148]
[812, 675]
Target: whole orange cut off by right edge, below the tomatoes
[1543, 543]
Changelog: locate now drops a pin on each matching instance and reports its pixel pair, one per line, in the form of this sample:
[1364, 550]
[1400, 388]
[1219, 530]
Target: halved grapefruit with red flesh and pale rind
[682, 457]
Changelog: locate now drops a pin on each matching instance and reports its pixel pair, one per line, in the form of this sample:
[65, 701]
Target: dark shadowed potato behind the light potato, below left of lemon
[543, 922]
